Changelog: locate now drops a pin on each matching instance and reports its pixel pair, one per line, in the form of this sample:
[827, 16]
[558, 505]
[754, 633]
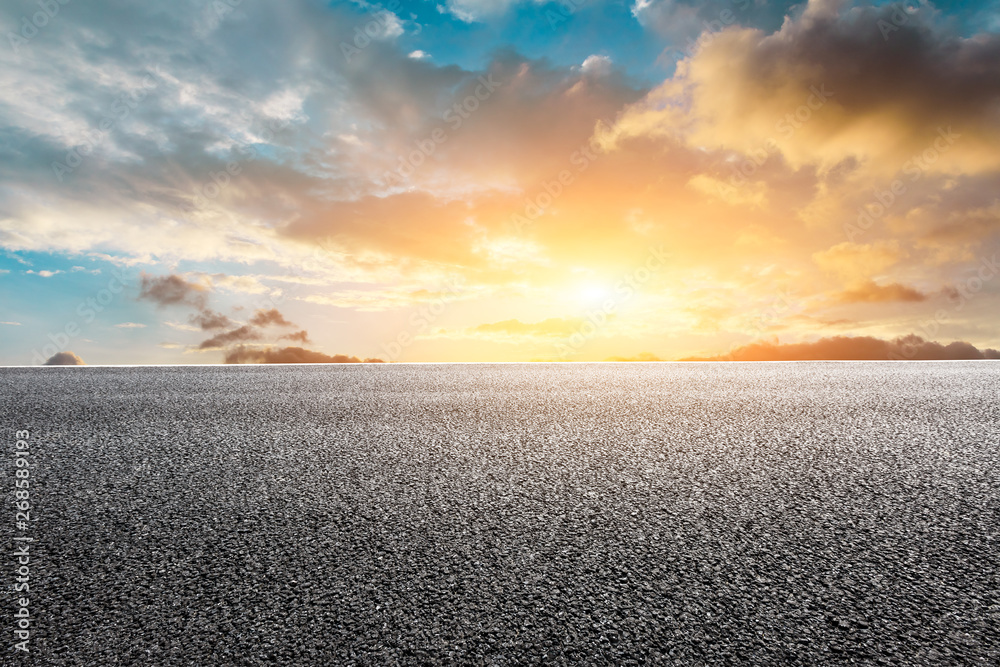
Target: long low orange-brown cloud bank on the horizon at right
[861, 348]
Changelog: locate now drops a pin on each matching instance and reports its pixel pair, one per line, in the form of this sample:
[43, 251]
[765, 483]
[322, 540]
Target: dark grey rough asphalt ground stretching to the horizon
[625, 514]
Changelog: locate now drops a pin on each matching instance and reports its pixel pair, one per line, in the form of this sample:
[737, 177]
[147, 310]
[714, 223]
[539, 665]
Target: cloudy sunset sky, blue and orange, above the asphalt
[215, 181]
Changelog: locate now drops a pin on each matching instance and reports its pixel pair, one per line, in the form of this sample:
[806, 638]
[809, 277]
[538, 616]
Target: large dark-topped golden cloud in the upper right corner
[837, 82]
